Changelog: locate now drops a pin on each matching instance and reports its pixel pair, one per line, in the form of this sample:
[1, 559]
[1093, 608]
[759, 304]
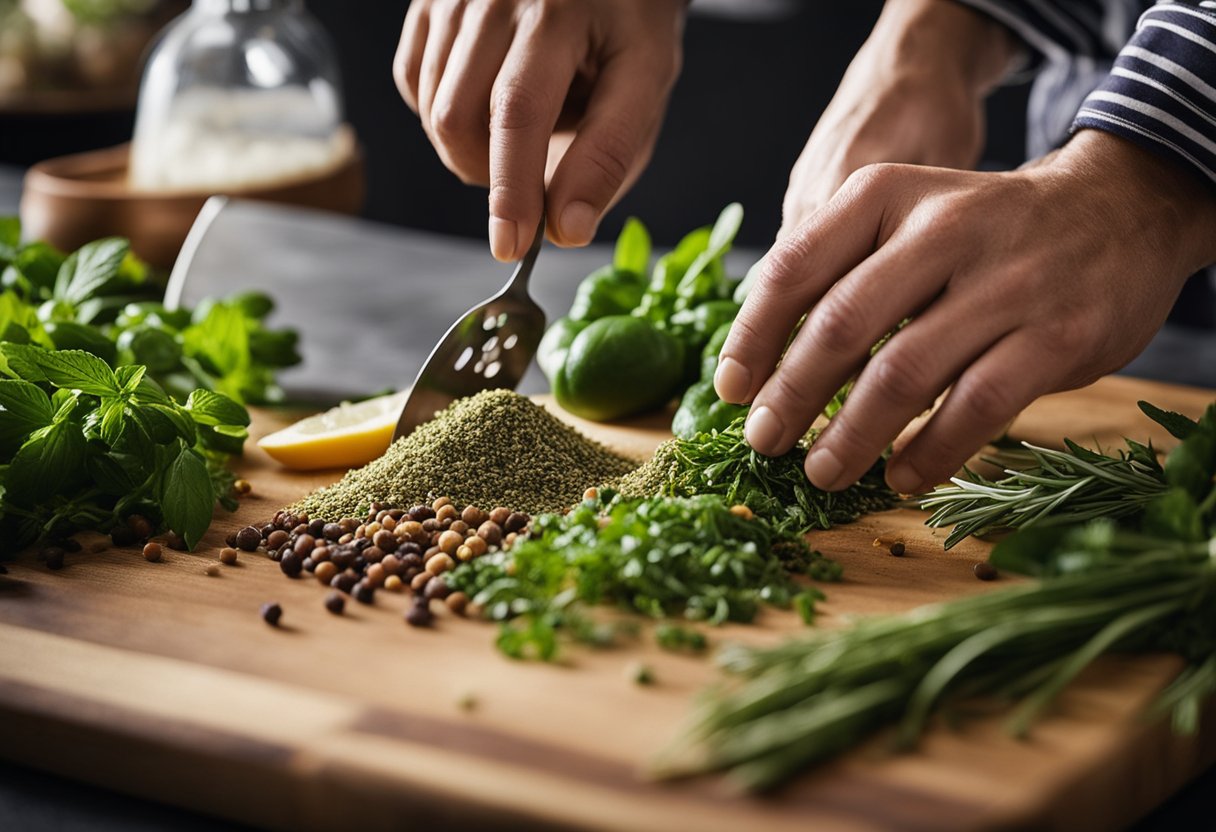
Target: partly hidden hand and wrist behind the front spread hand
[915, 93]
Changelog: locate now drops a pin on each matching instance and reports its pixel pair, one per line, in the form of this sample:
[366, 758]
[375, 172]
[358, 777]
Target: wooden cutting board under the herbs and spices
[159, 681]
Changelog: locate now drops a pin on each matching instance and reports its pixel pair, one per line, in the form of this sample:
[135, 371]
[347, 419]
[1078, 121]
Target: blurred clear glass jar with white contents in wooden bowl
[239, 94]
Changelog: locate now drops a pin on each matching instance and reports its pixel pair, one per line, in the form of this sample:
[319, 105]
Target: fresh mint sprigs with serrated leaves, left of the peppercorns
[86, 446]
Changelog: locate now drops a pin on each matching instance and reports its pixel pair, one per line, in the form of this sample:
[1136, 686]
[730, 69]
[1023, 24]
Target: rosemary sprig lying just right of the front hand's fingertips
[1059, 487]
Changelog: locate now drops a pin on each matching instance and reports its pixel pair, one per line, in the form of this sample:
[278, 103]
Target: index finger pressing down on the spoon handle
[527, 102]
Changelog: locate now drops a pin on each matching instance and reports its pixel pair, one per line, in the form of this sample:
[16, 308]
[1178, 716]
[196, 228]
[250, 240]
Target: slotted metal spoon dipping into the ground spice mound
[489, 347]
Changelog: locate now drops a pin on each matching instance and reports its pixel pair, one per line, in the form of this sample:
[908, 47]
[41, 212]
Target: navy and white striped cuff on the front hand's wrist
[1162, 93]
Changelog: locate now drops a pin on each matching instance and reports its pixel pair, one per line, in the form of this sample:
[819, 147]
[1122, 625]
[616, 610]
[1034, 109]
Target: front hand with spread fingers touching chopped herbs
[1018, 284]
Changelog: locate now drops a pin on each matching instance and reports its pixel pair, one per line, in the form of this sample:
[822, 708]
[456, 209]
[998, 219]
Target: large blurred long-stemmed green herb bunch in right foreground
[1146, 586]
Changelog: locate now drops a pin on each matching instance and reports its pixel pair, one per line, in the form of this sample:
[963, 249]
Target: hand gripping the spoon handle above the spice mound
[515, 93]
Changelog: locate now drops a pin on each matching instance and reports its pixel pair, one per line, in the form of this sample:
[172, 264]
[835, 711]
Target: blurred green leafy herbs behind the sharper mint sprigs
[99, 300]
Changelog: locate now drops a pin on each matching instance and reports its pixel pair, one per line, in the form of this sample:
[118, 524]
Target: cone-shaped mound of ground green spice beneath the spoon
[493, 449]
